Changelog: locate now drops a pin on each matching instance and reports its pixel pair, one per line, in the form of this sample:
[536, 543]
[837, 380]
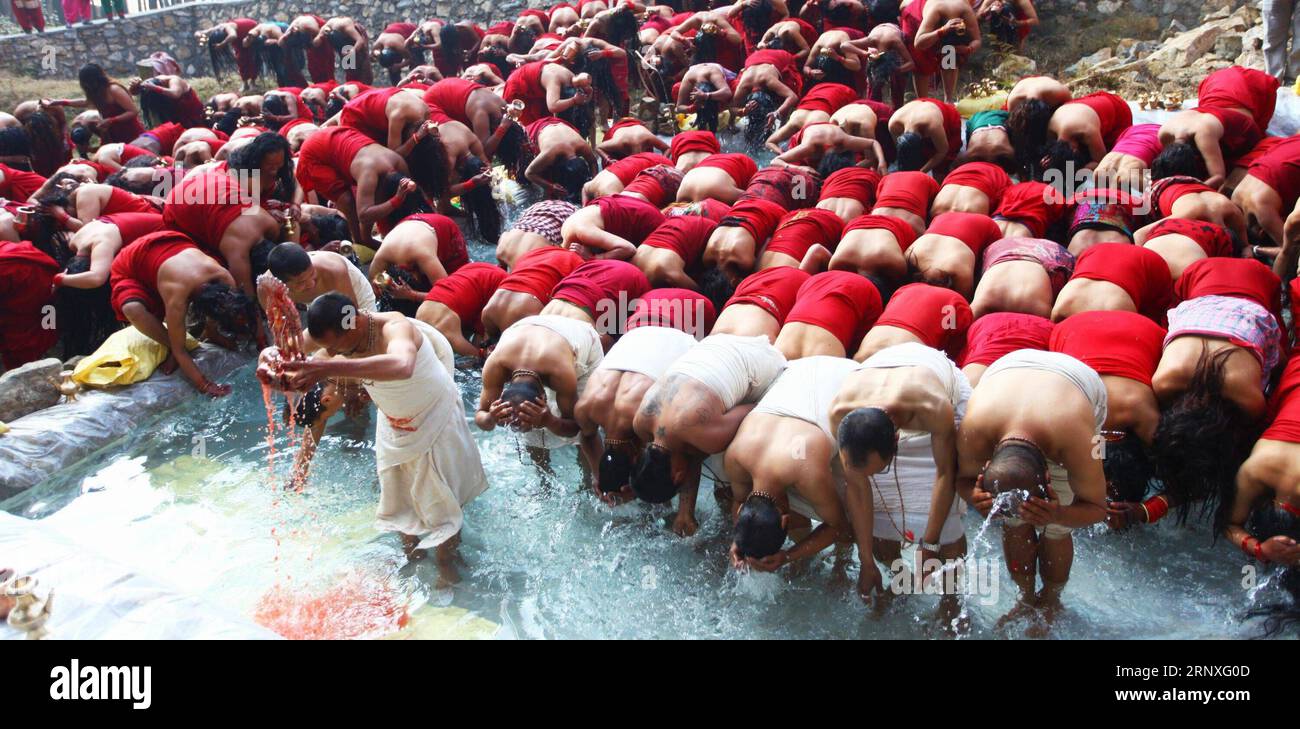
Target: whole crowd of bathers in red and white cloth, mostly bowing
[929, 309]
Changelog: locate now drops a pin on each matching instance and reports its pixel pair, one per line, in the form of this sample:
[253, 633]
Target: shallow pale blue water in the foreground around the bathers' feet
[192, 502]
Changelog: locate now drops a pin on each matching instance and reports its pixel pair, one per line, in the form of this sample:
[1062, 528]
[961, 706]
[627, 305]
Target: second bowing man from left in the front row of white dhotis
[610, 403]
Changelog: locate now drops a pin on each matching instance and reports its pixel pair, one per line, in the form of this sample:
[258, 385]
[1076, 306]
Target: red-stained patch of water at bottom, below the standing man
[352, 609]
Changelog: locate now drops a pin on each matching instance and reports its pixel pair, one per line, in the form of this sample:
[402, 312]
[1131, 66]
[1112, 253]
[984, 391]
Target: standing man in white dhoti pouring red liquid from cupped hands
[428, 463]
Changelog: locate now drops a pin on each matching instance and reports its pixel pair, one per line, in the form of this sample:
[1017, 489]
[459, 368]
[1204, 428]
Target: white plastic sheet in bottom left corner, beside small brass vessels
[98, 598]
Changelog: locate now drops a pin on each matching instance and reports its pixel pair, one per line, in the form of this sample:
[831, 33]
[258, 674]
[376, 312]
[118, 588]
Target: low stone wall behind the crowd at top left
[116, 46]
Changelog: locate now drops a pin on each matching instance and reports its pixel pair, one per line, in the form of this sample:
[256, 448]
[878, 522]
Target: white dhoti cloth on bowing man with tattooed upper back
[739, 370]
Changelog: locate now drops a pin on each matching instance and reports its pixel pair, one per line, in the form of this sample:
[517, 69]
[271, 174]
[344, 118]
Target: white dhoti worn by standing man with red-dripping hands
[428, 463]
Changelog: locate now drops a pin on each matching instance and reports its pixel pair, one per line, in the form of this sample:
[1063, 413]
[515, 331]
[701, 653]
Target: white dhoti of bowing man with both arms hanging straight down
[902, 498]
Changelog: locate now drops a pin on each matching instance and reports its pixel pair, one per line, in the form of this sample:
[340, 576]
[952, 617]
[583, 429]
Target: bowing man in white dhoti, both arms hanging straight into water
[896, 423]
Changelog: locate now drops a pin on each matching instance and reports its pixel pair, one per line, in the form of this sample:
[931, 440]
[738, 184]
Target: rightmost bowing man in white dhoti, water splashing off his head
[1034, 427]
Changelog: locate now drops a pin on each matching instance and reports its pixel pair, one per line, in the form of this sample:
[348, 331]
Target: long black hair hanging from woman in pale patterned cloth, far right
[1201, 442]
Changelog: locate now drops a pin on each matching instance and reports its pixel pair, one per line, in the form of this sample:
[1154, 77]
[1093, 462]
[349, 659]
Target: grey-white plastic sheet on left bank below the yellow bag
[45, 442]
